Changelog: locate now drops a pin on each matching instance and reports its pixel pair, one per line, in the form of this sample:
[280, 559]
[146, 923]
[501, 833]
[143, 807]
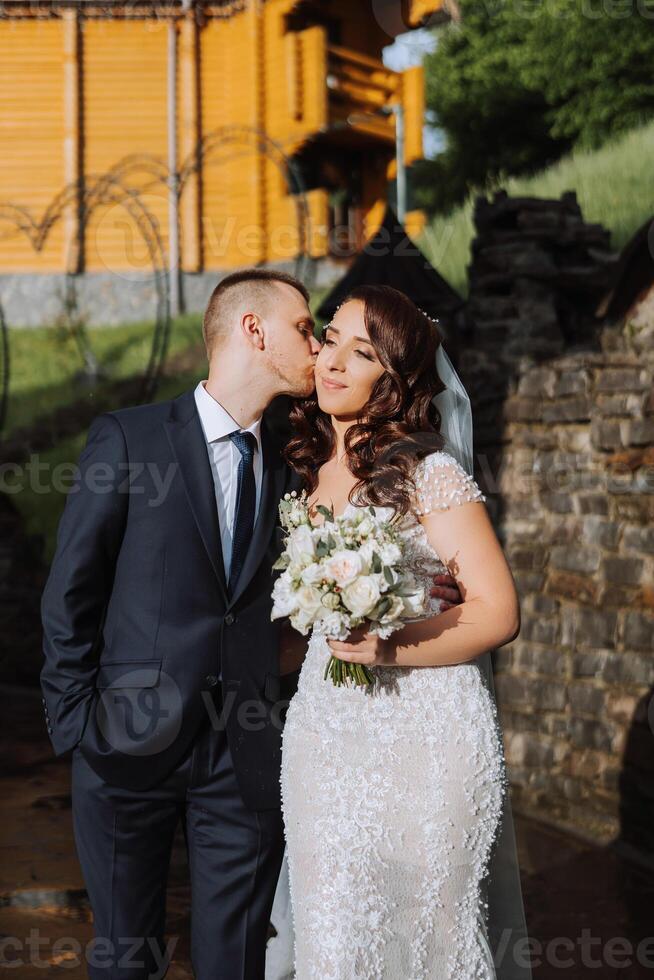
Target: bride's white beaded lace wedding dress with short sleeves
[392, 799]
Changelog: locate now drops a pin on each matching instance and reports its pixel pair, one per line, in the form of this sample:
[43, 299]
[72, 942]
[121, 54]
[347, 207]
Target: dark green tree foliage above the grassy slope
[515, 85]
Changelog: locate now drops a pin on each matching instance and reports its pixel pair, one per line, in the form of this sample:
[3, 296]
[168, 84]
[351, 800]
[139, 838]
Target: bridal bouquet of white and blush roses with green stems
[343, 573]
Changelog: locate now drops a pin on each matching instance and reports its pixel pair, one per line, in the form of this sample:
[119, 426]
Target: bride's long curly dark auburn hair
[398, 426]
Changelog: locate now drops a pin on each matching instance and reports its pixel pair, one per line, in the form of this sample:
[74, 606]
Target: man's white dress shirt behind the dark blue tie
[224, 458]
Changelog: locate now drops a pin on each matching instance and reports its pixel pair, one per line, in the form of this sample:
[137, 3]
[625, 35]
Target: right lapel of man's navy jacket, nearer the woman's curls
[273, 482]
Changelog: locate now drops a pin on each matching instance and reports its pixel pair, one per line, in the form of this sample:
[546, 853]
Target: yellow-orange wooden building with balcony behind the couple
[269, 111]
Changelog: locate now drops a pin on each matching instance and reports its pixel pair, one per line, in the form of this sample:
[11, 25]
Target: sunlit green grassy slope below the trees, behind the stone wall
[614, 186]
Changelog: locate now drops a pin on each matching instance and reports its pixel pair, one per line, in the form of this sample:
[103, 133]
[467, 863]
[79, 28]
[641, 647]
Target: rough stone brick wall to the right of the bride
[565, 448]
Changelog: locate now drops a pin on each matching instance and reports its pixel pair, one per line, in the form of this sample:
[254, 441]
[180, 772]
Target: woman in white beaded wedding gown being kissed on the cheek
[394, 797]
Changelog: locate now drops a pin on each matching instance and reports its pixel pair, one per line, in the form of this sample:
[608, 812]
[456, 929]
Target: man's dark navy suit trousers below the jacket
[124, 840]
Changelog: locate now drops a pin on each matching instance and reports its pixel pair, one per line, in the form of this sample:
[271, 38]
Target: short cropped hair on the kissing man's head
[256, 284]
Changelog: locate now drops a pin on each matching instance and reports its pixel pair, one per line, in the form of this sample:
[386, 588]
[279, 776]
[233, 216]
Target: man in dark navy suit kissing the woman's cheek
[162, 667]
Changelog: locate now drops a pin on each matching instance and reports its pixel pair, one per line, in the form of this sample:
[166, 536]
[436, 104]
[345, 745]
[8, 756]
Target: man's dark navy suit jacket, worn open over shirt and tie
[137, 622]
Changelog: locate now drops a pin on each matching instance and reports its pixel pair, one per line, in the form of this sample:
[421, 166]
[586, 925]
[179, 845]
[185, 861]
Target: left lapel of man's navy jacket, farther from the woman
[184, 431]
